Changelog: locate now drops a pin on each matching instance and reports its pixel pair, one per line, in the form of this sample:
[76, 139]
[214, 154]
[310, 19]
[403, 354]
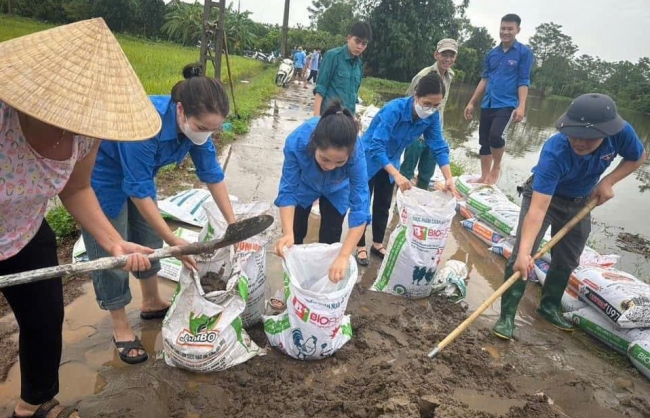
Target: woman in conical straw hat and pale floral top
[59, 90]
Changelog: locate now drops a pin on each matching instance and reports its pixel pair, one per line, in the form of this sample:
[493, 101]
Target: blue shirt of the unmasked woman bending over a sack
[303, 181]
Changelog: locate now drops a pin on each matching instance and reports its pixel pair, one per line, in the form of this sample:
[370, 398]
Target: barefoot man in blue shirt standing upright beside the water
[505, 81]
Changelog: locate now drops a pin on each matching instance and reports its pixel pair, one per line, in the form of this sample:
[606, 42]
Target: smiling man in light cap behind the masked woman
[418, 154]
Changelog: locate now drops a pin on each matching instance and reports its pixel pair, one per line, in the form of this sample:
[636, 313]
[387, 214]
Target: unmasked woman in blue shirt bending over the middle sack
[323, 160]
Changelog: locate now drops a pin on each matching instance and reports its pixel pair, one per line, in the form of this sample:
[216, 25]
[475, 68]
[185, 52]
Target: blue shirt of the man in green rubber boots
[562, 172]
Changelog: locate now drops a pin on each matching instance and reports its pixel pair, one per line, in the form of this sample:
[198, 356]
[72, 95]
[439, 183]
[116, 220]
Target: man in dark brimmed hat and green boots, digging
[567, 175]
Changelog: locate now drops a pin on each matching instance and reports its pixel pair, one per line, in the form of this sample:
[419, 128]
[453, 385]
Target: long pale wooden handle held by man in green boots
[506, 285]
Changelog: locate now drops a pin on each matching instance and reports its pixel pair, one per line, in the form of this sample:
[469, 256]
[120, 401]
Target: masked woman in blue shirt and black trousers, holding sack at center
[397, 125]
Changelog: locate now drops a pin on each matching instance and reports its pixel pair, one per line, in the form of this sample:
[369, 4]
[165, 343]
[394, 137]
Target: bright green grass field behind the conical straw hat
[159, 65]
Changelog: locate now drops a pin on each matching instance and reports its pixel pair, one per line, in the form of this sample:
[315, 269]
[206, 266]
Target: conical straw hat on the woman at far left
[76, 77]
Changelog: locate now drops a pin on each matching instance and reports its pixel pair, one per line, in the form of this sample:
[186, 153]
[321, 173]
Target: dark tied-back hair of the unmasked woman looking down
[337, 128]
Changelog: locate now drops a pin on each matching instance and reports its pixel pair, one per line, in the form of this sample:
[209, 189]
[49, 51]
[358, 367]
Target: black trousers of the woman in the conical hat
[38, 308]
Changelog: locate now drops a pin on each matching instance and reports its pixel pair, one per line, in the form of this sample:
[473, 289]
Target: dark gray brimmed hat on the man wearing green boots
[591, 116]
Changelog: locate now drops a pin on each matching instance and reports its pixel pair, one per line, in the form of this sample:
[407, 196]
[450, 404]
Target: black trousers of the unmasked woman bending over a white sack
[331, 223]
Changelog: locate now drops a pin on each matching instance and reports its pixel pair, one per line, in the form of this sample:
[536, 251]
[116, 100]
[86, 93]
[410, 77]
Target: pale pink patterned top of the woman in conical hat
[27, 182]
